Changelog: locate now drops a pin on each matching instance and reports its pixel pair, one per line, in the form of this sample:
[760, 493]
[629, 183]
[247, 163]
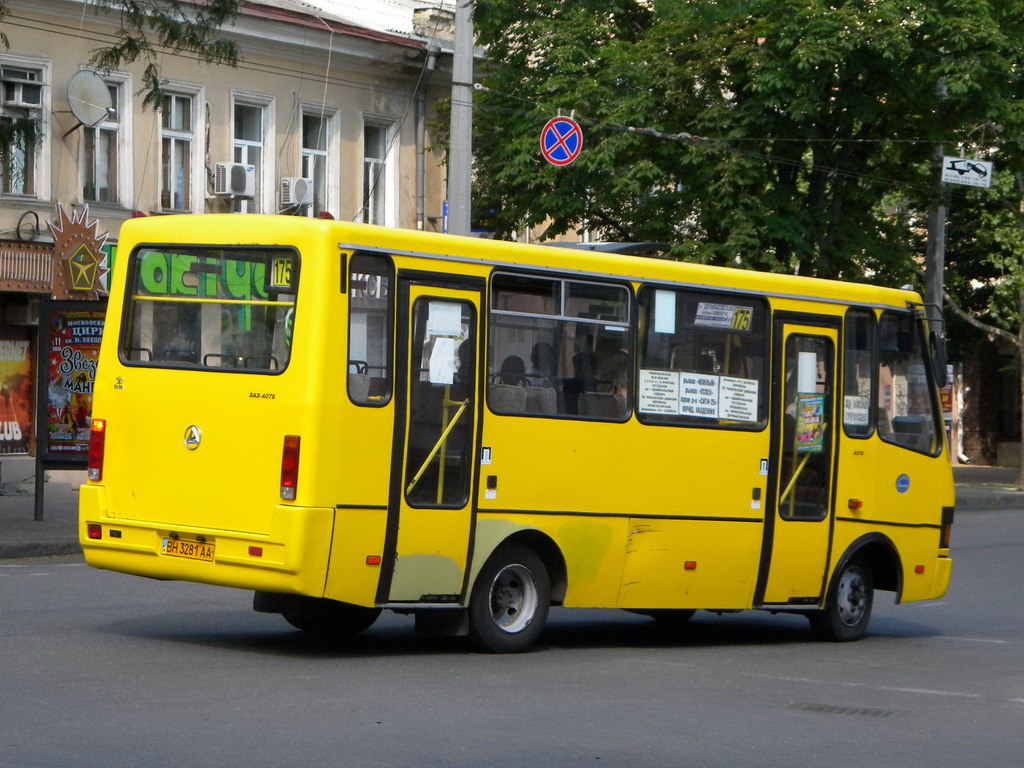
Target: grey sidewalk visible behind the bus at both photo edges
[21, 536]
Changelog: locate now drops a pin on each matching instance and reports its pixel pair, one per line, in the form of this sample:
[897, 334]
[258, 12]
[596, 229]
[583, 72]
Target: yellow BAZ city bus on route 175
[347, 419]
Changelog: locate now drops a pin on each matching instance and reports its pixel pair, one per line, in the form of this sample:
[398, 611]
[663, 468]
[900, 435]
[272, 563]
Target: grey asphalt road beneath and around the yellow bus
[99, 669]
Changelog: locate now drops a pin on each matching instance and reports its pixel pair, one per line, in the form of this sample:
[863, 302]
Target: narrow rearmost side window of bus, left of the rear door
[370, 330]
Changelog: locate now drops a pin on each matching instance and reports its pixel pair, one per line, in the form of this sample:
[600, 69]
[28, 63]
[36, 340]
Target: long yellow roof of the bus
[267, 230]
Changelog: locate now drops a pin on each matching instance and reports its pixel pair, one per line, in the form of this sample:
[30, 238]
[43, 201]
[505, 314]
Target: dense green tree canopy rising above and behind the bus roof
[803, 104]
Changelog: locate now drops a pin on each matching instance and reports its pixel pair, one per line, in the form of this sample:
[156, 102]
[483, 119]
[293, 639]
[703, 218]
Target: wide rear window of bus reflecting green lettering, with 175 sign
[224, 309]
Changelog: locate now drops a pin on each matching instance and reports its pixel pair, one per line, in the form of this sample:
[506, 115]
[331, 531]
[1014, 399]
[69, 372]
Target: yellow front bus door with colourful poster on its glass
[800, 517]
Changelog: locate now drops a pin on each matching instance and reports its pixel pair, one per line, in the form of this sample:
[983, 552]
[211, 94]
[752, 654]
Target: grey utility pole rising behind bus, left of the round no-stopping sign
[460, 165]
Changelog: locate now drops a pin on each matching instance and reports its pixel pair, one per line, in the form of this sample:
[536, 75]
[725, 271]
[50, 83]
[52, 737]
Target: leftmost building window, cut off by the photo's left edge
[23, 116]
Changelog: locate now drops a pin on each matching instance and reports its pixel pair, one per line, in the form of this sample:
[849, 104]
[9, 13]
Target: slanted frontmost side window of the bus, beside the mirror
[908, 411]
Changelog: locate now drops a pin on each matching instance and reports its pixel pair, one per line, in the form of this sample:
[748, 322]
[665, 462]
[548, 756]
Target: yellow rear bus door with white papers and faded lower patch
[431, 505]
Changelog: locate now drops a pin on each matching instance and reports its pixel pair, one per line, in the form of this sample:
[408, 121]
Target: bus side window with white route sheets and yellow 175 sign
[703, 359]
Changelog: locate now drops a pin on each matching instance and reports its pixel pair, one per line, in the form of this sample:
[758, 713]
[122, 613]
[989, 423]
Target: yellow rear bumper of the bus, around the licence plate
[292, 559]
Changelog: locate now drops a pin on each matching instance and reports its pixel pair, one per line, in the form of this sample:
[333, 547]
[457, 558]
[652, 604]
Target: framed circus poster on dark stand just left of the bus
[69, 363]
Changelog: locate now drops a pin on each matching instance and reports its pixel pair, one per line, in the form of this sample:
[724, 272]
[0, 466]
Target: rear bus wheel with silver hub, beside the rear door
[509, 604]
